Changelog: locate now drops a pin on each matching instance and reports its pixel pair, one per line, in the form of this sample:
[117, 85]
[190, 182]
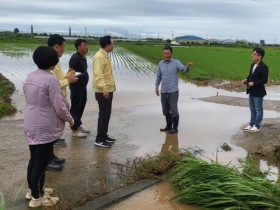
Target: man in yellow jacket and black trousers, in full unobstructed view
[104, 86]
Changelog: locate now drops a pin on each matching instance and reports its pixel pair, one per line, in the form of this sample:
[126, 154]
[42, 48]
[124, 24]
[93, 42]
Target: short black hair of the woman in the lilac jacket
[45, 57]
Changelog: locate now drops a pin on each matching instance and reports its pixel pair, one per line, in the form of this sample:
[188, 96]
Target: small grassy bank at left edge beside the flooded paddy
[6, 90]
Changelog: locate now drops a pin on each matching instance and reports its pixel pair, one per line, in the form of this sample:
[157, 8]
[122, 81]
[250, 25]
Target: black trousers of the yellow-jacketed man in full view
[105, 108]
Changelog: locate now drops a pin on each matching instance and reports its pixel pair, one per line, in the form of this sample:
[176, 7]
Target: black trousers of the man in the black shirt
[78, 96]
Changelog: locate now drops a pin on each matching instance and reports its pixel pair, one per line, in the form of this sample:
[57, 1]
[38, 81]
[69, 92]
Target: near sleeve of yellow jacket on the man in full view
[99, 78]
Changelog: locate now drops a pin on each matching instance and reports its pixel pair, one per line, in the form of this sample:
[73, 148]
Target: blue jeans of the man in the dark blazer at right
[256, 108]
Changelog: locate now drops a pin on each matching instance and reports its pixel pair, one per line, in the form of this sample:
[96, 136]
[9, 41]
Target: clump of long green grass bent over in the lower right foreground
[215, 186]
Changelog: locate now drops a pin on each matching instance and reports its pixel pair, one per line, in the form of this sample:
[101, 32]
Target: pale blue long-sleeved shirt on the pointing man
[167, 75]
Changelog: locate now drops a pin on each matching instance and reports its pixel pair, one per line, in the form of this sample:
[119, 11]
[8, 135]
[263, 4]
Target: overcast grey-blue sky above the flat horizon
[236, 19]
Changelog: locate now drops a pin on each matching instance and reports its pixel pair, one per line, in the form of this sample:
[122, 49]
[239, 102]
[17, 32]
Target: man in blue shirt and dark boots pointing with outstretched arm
[167, 75]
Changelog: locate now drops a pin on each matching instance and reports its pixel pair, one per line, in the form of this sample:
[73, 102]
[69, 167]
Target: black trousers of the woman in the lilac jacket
[40, 156]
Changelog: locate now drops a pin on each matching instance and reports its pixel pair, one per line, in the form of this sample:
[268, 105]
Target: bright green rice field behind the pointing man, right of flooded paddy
[210, 62]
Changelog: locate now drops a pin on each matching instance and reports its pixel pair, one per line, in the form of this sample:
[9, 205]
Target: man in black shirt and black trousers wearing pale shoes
[78, 91]
